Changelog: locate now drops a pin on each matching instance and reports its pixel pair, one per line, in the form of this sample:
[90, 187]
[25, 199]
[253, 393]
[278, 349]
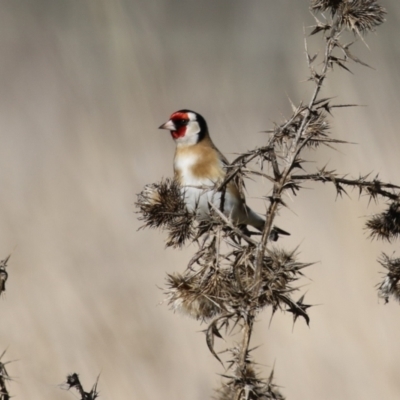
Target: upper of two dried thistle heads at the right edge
[386, 225]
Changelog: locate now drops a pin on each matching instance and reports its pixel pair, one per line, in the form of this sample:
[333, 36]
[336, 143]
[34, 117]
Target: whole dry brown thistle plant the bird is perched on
[234, 274]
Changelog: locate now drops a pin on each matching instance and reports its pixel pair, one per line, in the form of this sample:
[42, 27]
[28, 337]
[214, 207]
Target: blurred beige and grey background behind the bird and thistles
[83, 87]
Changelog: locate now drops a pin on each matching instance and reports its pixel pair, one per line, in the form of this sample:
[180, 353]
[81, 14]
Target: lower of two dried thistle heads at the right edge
[390, 285]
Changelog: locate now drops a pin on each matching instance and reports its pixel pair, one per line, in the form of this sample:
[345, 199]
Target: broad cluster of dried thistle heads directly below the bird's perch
[213, 288]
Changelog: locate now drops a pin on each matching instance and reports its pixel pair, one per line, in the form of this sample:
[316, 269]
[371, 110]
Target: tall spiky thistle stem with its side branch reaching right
[308, 127]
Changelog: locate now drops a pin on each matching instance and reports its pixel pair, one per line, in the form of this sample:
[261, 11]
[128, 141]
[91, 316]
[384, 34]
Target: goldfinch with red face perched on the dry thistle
[199, 167]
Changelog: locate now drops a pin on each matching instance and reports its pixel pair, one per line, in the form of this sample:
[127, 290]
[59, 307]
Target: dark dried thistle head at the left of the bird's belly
[162, 205]
